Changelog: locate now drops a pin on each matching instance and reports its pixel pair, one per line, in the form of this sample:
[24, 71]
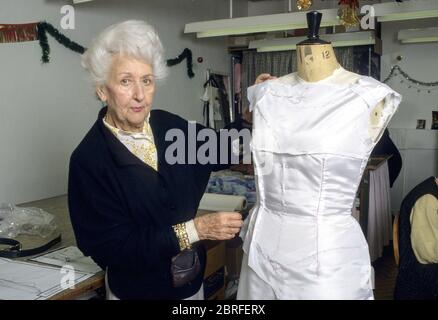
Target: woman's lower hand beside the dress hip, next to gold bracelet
[218, 225]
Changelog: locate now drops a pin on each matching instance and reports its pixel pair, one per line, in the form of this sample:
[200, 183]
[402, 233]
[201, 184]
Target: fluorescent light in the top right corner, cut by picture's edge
[407, 10]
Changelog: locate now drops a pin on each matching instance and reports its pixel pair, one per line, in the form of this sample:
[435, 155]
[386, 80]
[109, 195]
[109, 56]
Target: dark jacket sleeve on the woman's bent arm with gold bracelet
[106, 232]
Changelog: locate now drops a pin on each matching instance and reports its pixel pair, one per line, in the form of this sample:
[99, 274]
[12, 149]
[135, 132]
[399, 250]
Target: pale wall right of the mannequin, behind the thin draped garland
[419, 148]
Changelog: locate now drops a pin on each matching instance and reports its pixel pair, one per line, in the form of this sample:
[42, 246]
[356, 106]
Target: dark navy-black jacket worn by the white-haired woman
[122, 210]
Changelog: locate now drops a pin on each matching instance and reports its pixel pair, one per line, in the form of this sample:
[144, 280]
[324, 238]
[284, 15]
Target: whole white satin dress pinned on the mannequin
[310, 146]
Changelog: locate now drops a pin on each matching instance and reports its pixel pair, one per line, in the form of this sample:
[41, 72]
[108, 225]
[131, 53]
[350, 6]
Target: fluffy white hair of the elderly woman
[134, 38]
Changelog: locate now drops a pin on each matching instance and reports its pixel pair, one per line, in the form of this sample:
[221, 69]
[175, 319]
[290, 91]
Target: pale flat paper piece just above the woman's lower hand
[222, 202]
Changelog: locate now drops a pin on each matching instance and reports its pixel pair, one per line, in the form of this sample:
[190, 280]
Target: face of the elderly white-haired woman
[128, 92]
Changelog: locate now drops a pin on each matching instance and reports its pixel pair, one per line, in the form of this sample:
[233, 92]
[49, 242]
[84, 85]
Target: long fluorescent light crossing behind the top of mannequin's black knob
[254, 24]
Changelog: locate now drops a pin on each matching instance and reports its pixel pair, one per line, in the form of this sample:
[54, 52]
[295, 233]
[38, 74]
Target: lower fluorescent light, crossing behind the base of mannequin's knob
[346, 39]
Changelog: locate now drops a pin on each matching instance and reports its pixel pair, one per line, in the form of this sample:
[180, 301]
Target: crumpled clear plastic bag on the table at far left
[30, 221]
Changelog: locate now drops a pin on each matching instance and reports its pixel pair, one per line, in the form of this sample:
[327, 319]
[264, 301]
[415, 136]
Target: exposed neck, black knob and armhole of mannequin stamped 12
[316, 61]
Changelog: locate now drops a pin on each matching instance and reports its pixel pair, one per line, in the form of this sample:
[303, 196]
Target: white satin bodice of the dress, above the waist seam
[311, 141]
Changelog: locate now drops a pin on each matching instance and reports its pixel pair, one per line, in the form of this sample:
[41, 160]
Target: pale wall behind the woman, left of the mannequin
[45, 110]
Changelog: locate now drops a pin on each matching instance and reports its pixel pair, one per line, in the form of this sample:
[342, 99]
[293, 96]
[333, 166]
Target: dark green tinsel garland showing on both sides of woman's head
[44, 28]
